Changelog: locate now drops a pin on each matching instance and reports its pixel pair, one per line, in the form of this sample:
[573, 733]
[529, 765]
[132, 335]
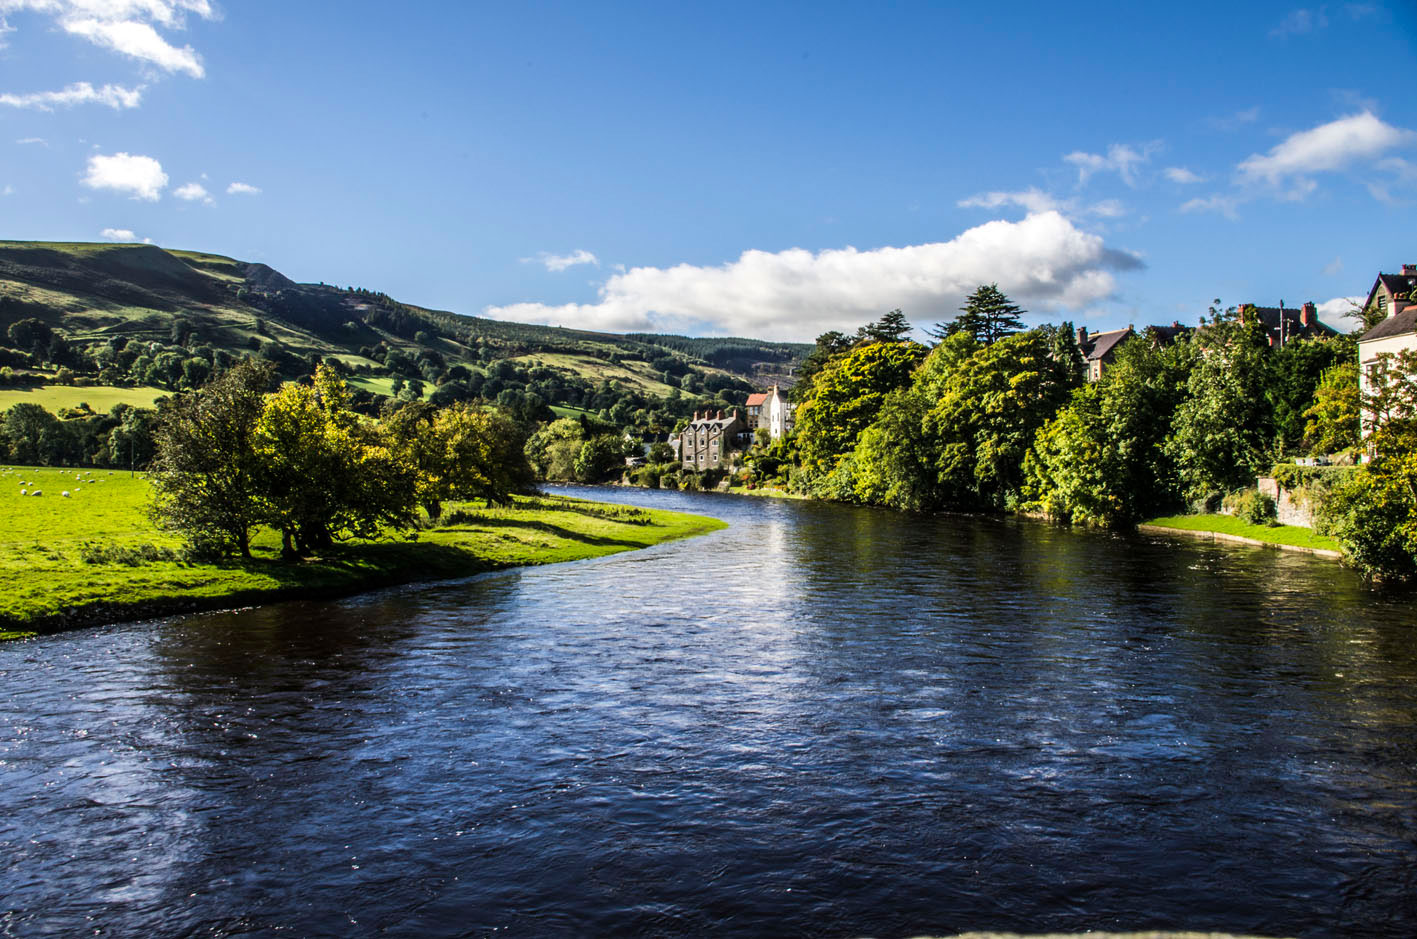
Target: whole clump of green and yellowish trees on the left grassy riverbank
[301, 461]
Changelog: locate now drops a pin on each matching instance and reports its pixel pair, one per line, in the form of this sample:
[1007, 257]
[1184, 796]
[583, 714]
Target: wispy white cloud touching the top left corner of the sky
[128, 28]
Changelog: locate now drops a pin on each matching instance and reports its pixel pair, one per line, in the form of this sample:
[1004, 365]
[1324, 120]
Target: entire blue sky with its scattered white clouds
[759, 169]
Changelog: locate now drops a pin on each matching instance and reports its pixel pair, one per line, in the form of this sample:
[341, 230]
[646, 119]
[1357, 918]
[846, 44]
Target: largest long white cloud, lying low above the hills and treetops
[1044, 263]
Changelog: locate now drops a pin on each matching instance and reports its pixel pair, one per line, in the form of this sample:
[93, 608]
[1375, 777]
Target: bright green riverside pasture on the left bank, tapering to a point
[94, 557]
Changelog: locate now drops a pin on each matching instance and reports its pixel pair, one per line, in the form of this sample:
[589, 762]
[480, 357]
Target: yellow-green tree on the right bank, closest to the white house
[847, 399]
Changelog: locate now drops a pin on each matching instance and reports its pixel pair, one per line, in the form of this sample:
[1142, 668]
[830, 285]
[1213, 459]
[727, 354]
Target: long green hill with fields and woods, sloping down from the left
[138, 318]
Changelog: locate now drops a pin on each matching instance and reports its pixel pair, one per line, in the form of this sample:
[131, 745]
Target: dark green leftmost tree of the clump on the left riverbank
[206, 477]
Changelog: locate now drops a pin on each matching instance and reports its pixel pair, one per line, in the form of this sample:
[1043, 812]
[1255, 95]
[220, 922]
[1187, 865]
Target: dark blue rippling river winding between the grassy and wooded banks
[818, 722]
